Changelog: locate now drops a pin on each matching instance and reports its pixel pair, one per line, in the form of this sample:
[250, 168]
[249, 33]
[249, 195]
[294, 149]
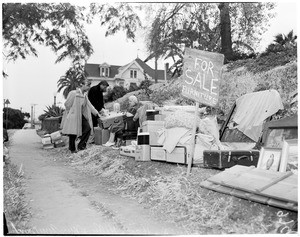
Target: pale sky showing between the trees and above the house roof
[32, 82]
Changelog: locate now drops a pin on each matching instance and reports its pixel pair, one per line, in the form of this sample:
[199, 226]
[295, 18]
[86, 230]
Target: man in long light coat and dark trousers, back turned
[77, 120]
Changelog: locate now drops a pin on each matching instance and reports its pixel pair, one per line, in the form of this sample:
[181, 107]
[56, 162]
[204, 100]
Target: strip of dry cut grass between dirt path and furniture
[172, 196]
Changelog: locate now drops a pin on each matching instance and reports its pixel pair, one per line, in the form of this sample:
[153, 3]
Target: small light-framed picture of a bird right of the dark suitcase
[269, 159]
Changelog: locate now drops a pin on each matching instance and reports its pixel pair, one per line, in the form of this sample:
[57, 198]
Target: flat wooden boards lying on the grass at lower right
[260, 185]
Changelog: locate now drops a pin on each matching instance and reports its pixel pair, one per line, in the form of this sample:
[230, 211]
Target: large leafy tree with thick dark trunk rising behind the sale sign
[211, 27]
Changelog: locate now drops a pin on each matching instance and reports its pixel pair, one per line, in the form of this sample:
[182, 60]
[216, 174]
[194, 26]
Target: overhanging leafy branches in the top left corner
[58, 26]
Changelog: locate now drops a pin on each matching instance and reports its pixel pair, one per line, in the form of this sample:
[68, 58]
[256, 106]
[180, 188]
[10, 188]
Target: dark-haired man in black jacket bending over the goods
[95, 96]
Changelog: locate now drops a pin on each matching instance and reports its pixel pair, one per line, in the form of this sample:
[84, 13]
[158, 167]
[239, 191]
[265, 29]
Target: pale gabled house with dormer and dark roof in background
[131, 73]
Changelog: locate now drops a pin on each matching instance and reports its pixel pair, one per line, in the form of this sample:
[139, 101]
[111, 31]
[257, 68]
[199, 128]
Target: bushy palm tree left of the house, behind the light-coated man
[72, 79]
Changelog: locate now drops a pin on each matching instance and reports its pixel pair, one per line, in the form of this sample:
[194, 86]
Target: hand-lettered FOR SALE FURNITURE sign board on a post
[202, 73]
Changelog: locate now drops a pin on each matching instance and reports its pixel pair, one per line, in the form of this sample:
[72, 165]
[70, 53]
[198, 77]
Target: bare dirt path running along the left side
[64, 201]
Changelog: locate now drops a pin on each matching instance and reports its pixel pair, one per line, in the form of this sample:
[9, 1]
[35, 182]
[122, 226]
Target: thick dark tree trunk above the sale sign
[226, 42]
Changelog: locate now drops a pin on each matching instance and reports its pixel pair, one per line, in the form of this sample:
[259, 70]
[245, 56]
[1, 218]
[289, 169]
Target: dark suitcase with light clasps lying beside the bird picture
[222, 159]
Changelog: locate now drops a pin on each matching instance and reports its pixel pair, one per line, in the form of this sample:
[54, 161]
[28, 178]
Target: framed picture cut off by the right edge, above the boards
[289, 160]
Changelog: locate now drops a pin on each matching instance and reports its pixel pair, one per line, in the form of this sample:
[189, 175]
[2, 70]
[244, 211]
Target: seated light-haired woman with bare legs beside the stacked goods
[119, 127]
